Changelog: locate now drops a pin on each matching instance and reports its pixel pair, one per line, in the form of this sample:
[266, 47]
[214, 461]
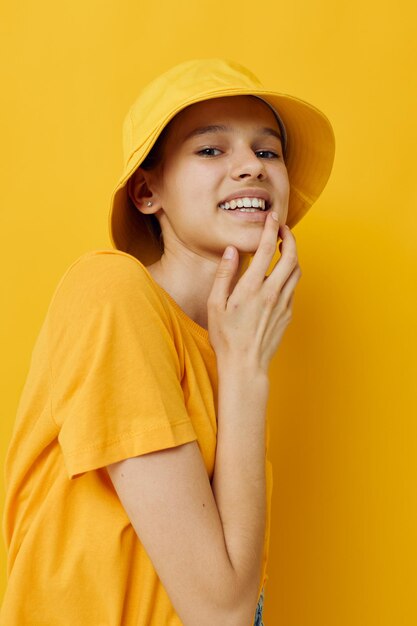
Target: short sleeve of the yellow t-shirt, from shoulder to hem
[115, 370]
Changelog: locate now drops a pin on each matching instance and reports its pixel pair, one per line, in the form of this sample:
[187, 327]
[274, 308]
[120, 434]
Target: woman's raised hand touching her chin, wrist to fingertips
[248, 323]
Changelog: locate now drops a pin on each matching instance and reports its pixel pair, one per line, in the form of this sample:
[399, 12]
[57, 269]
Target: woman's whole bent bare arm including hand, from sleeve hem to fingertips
[206, 541]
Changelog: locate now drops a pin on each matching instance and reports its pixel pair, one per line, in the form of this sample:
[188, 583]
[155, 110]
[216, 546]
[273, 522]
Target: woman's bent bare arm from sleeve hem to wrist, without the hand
[169, 500]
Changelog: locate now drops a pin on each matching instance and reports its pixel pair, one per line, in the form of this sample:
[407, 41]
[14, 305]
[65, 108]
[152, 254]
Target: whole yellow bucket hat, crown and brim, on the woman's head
[308, 137]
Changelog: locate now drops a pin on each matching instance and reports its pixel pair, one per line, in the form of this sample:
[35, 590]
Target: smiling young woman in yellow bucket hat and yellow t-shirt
[138, 484]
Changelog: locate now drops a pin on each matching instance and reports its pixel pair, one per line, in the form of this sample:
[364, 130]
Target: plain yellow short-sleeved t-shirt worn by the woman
[118, 370]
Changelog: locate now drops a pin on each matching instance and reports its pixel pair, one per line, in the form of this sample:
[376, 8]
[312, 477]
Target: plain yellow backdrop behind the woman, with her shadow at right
[343, 407]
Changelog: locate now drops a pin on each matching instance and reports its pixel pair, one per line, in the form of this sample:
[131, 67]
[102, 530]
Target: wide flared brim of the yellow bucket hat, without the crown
[309, 160]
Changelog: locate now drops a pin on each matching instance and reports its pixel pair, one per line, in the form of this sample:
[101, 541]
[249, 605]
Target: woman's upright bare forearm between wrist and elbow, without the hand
[239, 474]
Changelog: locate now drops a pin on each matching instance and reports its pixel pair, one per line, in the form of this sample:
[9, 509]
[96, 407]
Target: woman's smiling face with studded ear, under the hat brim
[202, 168]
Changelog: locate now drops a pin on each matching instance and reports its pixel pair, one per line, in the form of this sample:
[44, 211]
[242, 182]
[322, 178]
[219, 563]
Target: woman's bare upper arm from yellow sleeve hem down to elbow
[168, 498]
